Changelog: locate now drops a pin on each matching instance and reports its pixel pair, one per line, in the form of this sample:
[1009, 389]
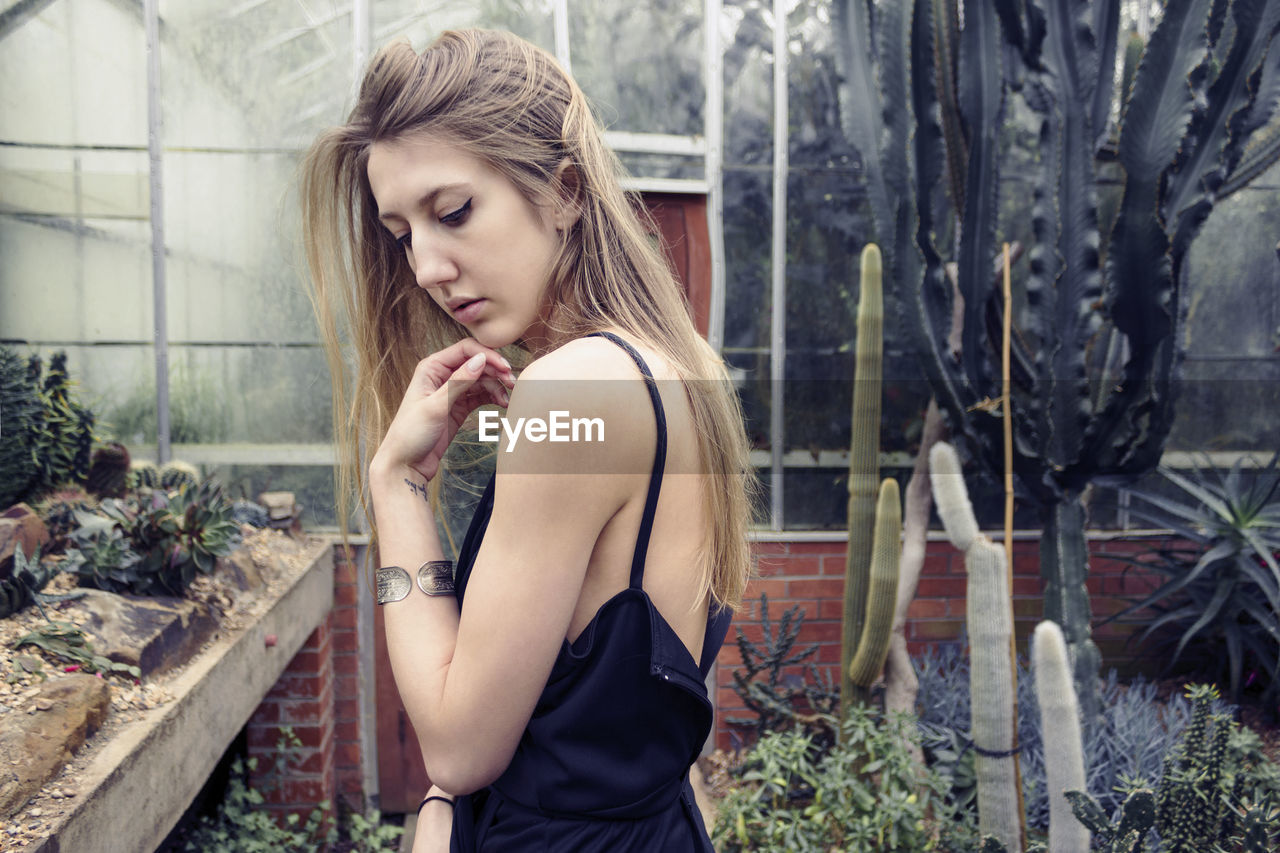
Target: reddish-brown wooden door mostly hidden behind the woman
[682, 222]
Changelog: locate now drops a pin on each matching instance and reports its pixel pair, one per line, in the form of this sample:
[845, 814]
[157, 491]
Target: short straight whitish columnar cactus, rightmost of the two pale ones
[1060, 728]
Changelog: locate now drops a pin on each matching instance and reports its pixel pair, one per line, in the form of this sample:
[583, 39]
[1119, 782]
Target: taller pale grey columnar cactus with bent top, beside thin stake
[991, 627]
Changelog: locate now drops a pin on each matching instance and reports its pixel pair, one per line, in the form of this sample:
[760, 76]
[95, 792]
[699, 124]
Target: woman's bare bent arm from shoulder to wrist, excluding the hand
[470, 683]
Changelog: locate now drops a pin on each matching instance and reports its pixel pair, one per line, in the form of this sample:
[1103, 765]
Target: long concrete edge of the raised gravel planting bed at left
[140, 783]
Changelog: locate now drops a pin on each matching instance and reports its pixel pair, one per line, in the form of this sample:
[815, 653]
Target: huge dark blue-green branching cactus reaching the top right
[925, 103]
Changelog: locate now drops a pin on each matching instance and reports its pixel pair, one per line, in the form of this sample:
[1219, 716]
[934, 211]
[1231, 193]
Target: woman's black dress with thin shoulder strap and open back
[604, 764]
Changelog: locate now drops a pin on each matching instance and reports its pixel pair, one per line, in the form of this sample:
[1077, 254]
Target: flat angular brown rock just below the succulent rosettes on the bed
[153, 633]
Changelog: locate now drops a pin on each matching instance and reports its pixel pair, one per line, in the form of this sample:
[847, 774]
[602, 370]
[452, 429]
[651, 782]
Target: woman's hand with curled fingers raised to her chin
[446, 389]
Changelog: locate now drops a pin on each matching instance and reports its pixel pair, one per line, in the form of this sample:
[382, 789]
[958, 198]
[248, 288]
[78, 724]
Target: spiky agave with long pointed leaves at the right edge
[1222, 582]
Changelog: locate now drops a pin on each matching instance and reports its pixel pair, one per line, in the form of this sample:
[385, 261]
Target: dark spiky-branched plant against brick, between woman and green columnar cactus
[781, 700]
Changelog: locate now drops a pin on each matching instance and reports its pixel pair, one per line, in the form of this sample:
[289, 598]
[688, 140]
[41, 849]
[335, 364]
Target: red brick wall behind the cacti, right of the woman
[811, 576]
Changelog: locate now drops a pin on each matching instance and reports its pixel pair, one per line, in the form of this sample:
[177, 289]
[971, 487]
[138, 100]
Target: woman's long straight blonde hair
[511, 106]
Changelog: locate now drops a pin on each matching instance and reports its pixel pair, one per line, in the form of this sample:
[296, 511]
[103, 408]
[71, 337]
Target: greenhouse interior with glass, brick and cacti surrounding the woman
[995, 288]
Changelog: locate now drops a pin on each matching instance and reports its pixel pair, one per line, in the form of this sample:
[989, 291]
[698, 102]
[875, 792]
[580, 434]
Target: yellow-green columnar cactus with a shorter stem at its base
[868, 621]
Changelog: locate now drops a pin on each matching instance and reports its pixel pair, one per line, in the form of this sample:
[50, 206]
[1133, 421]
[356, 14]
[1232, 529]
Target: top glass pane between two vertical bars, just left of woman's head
[254, 75]
